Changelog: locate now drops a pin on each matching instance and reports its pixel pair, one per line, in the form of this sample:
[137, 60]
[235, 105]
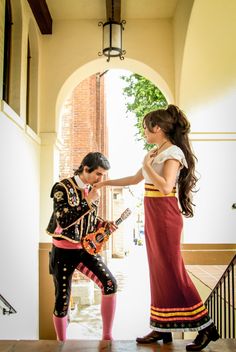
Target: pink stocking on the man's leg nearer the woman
[108, 307]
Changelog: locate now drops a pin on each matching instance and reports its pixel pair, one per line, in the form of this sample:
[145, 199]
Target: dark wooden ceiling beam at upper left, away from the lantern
[42, 15]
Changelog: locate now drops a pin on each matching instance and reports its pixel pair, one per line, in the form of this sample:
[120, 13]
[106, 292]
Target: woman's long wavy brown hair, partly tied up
[176, 127]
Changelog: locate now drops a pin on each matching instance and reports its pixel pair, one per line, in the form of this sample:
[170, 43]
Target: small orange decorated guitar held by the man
[93, 242]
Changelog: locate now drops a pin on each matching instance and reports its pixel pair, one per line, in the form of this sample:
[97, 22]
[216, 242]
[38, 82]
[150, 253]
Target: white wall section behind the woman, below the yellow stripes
[214, 220]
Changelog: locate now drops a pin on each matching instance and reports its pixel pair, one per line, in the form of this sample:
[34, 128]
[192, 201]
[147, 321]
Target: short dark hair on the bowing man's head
[93, 160]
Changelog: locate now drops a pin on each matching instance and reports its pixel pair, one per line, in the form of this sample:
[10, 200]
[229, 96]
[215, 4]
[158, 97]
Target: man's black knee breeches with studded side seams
[62, 264]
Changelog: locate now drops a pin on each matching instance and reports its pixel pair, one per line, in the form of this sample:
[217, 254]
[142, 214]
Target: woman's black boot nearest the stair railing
[203, 338]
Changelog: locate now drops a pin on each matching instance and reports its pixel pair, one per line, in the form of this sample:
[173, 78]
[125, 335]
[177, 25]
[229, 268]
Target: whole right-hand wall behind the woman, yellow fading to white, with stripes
[208, 96]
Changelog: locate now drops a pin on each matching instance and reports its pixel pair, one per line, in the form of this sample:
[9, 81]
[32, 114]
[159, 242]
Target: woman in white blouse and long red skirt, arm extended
[168, 170]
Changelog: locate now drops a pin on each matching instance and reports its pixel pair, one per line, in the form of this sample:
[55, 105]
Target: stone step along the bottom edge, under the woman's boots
[222, 345]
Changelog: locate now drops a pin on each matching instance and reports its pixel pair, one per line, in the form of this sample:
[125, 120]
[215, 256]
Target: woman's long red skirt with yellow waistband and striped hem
[175, 302]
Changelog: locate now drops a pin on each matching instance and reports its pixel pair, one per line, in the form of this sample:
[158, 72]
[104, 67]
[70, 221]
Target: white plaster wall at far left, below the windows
[19, 218]
